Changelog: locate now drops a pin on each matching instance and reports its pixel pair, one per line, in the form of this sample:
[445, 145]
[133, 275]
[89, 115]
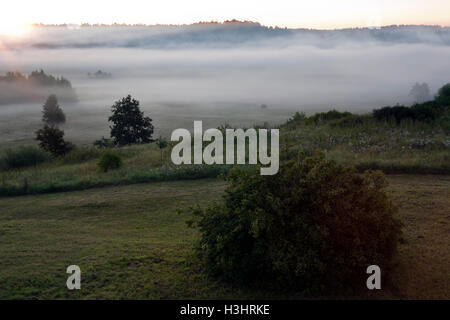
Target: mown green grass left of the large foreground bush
[128, 241]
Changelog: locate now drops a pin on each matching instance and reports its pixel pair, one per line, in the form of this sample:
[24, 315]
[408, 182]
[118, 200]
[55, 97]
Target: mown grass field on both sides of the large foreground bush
[131, 243]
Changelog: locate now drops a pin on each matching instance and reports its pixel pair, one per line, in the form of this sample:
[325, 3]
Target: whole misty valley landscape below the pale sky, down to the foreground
[98, 176]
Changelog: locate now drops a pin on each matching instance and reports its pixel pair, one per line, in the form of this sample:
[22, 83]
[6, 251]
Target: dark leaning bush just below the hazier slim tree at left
[51, 139]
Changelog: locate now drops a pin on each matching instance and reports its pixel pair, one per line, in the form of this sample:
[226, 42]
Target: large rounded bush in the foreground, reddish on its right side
[315, 225]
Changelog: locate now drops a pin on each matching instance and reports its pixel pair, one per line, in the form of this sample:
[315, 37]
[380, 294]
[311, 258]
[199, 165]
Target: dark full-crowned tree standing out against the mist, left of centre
[129, 124]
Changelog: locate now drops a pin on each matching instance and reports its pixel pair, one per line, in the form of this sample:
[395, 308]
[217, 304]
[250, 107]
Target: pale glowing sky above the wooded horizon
[324, 14]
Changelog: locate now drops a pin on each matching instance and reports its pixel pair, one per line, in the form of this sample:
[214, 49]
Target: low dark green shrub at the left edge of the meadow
[23, 157]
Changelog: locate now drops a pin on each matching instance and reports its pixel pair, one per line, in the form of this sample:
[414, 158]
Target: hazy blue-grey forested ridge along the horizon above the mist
[223, 34]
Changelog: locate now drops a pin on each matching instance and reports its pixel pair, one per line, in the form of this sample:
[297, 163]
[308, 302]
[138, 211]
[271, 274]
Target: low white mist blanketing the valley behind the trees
[220, 84]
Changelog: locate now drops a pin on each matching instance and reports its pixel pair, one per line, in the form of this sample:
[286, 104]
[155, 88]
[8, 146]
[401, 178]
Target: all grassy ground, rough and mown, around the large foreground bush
[124, 230]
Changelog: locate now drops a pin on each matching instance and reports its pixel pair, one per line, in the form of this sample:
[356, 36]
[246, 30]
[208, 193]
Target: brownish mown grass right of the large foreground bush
[424, 261]
